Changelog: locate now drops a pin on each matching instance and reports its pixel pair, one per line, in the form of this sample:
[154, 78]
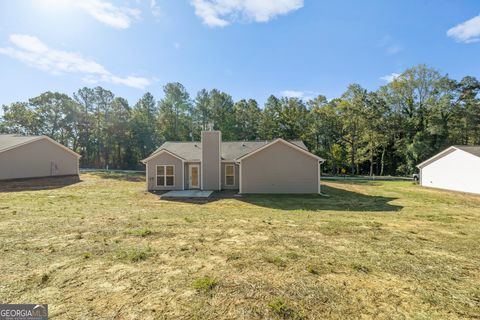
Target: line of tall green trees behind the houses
[387, 131]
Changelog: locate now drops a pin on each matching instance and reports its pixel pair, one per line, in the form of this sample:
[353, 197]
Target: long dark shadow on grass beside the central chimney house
[336, 200]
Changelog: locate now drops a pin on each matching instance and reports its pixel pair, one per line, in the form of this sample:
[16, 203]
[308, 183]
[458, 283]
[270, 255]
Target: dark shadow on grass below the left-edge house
[36, 184]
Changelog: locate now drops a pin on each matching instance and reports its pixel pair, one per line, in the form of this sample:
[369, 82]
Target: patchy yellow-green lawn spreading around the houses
[104, 248]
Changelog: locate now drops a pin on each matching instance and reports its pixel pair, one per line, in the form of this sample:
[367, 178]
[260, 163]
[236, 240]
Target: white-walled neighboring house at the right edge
[457, 168]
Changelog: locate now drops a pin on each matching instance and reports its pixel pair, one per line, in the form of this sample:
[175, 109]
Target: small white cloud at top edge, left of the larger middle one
[109, 14]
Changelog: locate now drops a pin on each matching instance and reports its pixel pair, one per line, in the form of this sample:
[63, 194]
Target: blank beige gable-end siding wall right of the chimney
[279, 169]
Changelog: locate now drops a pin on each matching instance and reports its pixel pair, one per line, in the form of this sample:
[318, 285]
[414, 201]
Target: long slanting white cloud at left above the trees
[35, 53]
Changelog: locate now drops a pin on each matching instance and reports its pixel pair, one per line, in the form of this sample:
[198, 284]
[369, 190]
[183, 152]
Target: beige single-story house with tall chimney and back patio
[276, 166]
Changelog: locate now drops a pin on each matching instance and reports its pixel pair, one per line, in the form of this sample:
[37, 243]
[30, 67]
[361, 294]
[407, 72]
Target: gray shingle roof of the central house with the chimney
[231, 150]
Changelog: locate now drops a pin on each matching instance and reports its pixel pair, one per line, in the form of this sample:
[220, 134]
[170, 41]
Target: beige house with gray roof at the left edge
[23, 157]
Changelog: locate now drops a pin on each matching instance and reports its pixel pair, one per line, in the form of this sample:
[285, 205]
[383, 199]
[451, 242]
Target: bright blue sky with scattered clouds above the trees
[247, 48]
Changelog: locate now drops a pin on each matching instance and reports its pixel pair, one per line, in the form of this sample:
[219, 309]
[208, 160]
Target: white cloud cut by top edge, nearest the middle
[220, 13]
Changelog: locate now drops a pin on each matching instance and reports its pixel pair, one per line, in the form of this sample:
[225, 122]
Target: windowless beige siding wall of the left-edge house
[35, 160]
